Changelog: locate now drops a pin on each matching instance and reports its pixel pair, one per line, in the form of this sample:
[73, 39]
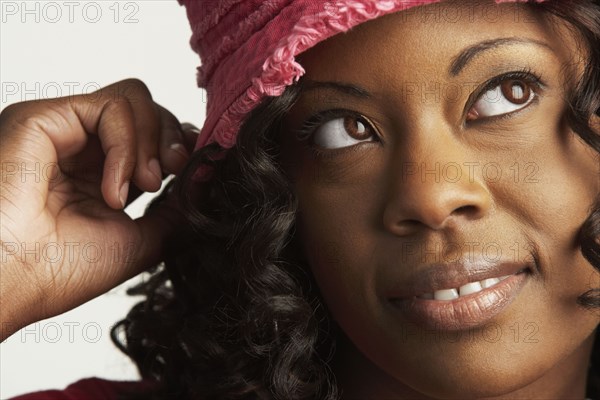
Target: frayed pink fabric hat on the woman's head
[247, 48]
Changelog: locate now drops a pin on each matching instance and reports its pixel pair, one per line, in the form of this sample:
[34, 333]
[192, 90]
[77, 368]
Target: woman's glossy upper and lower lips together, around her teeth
[465, 312]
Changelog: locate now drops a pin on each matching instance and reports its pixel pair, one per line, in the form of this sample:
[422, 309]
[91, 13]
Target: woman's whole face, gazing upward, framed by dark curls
[439, 157]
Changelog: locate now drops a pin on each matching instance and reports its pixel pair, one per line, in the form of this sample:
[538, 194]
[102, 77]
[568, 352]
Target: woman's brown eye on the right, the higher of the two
[509, 96]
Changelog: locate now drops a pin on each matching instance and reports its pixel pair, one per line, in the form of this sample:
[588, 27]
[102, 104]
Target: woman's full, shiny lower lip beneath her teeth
[469, 311]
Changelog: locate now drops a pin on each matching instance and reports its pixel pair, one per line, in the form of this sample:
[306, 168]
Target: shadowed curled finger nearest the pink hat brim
[173, 153]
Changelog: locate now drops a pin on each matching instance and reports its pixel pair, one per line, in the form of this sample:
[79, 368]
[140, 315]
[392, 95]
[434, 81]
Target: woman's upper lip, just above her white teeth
[433, 277]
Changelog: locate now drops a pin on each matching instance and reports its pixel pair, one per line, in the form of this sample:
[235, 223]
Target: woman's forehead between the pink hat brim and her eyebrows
[425, 40]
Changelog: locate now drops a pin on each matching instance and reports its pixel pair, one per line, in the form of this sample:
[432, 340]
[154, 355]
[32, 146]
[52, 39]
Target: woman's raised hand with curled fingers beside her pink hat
[68, 165]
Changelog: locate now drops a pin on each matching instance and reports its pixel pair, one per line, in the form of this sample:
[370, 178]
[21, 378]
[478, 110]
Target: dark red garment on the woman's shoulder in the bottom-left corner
[89, 389]
